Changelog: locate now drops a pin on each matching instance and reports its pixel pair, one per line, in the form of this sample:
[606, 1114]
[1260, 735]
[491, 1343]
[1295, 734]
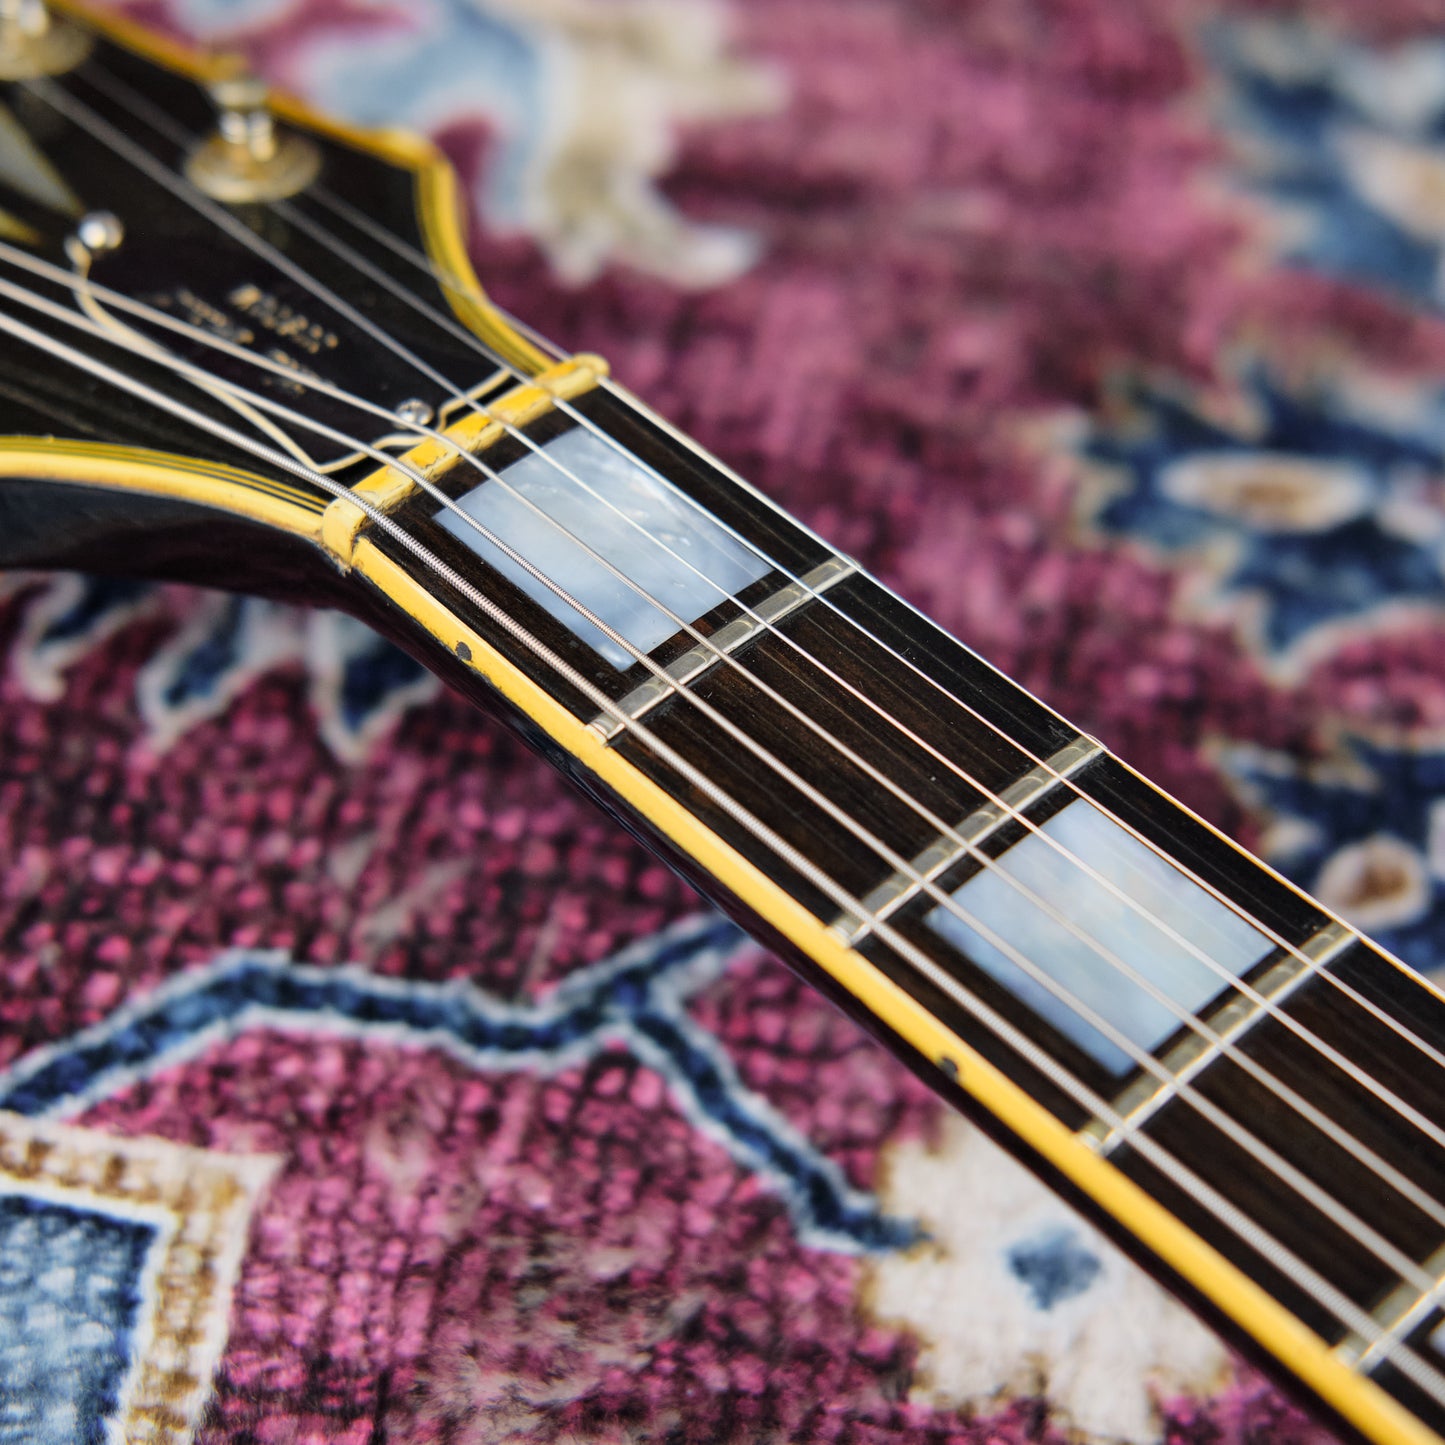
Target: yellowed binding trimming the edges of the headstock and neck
[1358, 1399]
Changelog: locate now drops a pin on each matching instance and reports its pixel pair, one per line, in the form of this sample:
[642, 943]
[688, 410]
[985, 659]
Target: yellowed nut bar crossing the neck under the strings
[479, 430]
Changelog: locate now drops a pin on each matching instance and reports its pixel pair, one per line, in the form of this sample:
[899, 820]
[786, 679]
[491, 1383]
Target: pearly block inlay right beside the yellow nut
[585, 485]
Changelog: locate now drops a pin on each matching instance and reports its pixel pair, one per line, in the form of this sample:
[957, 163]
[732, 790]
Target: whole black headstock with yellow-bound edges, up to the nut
[261, 298]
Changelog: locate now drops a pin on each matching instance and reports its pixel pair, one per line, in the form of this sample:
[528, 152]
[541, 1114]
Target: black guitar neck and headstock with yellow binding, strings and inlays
[245, 346]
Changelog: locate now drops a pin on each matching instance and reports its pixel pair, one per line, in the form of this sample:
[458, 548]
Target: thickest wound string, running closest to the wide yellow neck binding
[1330, 1297]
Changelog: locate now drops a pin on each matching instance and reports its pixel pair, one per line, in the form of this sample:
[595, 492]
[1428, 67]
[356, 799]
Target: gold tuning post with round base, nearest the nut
[249, 160]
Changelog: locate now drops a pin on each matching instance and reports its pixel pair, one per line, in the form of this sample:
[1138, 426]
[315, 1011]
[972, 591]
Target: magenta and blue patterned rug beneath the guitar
[361, 1083]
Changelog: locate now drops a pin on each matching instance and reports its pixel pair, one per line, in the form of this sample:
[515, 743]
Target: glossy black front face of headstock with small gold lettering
[131, 238]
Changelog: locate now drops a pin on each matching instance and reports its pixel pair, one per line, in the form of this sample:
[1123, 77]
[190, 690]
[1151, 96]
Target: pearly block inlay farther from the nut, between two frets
[1141, 923]
